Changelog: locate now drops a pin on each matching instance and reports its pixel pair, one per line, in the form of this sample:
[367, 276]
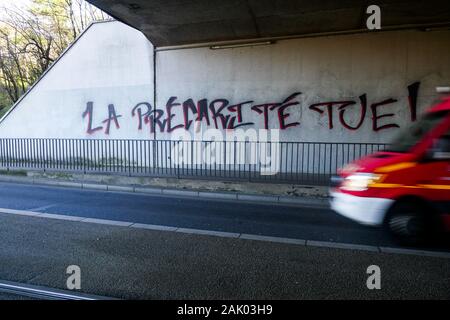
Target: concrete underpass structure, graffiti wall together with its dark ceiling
[175, 70]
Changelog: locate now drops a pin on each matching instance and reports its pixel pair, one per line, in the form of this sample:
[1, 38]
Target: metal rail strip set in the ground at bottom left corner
[45, 293]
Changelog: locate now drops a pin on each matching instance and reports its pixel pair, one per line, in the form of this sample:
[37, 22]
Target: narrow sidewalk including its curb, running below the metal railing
[316, 196]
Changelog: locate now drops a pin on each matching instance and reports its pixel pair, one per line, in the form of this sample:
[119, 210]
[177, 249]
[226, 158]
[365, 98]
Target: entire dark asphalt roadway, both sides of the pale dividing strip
[131, 263]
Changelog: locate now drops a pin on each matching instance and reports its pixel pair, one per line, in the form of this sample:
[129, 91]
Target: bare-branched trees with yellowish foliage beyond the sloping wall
[32, 37]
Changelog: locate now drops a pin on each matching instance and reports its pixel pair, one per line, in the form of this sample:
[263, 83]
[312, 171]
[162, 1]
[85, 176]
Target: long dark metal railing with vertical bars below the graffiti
[279, 162]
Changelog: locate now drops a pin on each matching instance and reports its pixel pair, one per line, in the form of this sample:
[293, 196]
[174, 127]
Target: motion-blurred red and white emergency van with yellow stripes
[405, 188]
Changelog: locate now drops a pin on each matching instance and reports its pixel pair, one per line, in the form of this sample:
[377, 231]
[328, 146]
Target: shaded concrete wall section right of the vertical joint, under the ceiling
[339, 68]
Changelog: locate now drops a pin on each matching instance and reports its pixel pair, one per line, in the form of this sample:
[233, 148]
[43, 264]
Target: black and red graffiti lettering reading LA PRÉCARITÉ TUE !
[222, 114]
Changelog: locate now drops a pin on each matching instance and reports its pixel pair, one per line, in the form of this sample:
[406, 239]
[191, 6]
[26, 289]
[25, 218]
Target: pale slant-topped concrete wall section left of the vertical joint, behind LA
[110, 63]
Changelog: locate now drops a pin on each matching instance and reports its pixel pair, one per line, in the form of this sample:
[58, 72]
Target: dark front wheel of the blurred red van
[409, 224]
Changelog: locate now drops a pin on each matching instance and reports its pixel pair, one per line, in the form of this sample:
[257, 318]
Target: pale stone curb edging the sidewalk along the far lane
[213, 195]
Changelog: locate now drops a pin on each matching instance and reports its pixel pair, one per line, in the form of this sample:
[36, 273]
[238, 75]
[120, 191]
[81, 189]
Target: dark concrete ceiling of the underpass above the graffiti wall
[180, 22]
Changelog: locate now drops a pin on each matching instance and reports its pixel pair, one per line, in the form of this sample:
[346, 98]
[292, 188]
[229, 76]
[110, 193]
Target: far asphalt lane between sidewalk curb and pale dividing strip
[306, 223]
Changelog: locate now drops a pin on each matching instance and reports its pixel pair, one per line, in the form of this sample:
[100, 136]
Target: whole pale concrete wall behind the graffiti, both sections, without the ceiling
[112, 64]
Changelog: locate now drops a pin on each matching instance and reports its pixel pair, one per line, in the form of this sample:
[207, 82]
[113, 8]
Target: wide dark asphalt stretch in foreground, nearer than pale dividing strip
[136, 263]
